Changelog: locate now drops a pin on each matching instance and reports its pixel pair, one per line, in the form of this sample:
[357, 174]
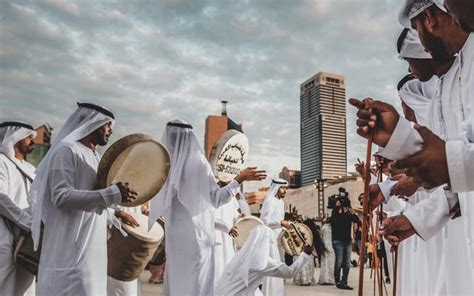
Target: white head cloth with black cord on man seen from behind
[190, 173]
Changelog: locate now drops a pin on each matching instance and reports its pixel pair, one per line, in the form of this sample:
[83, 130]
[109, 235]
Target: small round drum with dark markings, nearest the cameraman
[291, 240]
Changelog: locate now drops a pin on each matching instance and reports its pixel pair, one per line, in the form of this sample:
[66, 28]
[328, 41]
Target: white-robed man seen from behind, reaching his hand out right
[187, 202]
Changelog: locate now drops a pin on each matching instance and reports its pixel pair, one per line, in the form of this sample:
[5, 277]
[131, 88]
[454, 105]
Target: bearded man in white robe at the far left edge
[16, 175]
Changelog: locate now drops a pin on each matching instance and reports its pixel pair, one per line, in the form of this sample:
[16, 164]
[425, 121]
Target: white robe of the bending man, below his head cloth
[230, 285]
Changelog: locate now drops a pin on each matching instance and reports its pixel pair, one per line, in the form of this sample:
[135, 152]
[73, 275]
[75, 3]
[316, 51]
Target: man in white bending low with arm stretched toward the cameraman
[254, 261]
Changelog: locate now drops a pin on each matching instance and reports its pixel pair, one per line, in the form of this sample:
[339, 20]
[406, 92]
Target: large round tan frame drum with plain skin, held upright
[139, 160]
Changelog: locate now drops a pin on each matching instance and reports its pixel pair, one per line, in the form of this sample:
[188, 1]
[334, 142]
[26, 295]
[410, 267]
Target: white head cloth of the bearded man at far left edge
[9, 136]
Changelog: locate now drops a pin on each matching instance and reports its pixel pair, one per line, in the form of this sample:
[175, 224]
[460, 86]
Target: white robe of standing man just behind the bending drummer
[273, 285]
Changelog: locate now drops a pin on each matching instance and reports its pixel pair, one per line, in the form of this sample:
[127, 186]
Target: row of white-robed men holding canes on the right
[429, 150]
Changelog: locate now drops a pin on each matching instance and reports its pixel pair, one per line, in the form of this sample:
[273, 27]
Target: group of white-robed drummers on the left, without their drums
[58, 203]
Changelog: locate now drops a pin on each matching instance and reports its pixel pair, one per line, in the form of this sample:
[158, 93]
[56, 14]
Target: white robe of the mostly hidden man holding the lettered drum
[224, 250]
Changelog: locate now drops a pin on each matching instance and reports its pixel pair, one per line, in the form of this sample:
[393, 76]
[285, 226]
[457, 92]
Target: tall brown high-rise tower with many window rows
[323, 127]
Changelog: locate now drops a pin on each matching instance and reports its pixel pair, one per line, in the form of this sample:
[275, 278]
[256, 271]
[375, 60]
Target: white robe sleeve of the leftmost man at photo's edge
[8, 208]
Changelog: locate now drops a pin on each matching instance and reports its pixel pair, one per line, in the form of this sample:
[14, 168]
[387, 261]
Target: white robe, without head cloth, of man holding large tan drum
[74, 249]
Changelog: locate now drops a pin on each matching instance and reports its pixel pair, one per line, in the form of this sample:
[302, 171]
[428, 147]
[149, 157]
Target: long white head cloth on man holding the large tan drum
[80, 123]
